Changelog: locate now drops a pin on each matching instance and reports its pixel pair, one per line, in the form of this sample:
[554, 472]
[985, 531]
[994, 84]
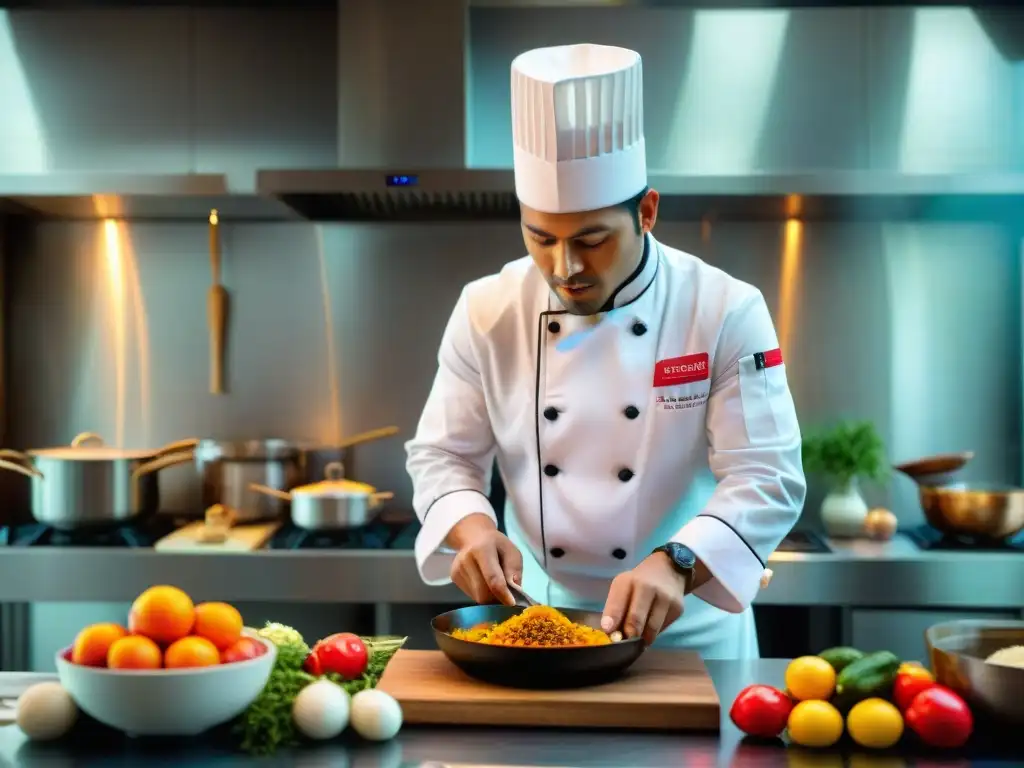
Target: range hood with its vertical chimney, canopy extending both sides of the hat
[403, 126]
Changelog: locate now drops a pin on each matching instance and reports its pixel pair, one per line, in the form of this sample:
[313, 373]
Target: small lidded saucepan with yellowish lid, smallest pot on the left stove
[332, 504]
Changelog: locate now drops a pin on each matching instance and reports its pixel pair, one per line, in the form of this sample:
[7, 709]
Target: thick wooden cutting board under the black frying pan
[664, 691]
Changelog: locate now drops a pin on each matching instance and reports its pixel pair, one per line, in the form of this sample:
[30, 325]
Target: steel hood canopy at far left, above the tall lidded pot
[92, 196]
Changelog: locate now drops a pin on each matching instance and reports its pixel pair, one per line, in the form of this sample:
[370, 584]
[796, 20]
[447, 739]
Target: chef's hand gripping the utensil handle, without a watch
[486, 561]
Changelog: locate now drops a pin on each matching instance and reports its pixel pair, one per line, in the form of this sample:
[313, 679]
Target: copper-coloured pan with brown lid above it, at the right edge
[987, 513]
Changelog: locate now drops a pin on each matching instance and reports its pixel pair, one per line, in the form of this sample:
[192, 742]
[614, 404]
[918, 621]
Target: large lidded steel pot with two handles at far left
[90, 484]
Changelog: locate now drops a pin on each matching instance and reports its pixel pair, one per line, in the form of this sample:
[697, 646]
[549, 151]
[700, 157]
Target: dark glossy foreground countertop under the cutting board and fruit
[449, 748]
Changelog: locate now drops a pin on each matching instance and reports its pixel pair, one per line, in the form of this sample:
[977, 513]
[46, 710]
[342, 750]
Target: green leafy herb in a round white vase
[847, 453]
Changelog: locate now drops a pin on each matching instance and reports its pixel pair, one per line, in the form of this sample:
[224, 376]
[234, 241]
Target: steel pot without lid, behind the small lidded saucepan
[228, 468]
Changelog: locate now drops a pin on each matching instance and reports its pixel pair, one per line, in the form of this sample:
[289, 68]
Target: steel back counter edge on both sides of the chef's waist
[895, 574]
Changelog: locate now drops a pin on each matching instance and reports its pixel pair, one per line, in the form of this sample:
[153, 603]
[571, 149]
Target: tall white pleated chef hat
[578, 127]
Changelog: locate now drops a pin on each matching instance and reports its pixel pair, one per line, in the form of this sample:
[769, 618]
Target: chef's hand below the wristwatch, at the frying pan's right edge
[646, 601]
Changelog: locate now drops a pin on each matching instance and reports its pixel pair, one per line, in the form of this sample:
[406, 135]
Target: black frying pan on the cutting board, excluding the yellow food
[518, 667]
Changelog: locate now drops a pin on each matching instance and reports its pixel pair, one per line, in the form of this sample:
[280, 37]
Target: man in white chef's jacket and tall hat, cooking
[634, 397]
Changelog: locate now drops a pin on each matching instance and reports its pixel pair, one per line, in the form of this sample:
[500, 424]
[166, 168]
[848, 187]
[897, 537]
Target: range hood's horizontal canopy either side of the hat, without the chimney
[468, 195]
